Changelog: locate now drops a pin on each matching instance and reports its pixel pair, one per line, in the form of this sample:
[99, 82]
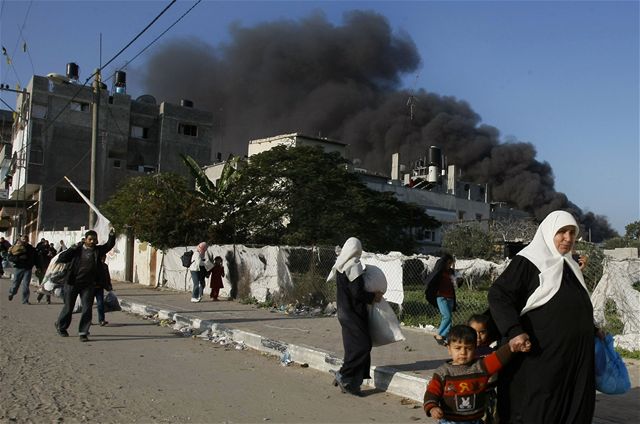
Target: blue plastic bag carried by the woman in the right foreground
[612, 377]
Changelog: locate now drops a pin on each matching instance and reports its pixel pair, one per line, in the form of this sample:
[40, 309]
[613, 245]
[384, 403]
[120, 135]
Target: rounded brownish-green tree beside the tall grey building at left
[158, 209]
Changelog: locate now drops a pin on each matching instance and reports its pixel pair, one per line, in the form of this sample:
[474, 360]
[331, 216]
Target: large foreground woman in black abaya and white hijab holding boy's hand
[541, 301]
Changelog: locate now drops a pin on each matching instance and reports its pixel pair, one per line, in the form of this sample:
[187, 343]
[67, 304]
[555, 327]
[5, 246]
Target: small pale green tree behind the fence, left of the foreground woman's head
[468, 241]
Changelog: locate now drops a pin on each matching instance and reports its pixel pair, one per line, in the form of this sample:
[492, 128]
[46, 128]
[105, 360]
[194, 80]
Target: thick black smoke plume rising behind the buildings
[344, 82]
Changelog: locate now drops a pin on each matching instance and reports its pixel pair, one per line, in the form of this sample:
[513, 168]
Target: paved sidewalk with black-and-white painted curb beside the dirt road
[402, 368]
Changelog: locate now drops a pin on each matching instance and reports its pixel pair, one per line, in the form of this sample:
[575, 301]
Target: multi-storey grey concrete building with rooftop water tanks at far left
[52, 139]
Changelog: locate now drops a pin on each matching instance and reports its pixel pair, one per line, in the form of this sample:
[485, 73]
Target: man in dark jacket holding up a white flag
[82, 278]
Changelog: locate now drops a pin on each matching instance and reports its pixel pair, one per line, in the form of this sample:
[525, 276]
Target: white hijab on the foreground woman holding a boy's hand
[542, 252]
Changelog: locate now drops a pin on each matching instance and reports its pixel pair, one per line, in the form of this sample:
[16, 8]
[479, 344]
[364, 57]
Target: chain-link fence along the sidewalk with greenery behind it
[308, 289]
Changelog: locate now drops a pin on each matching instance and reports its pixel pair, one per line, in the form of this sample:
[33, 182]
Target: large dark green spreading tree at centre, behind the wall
[302, 196]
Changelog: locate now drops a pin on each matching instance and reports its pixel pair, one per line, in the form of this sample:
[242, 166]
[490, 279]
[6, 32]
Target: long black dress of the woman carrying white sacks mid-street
[352, 302]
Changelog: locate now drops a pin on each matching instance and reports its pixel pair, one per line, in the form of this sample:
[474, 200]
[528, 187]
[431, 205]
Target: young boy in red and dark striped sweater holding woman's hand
[457, 391]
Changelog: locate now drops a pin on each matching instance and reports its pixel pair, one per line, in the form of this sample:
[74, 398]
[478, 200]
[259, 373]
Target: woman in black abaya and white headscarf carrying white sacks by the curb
[352, 300]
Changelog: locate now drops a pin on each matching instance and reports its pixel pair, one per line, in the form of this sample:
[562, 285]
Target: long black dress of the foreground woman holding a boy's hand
[554, 382]
